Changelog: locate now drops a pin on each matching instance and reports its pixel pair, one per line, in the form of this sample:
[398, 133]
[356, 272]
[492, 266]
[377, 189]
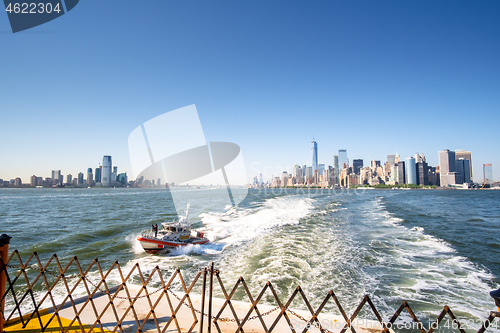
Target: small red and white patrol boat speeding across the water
[171, 235]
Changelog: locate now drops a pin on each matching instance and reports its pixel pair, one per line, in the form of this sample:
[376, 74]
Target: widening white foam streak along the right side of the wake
[429, 269]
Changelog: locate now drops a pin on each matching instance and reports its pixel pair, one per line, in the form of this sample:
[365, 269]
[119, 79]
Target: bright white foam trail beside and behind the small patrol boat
[226, 229]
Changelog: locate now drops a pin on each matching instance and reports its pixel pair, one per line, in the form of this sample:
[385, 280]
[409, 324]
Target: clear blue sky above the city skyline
[373, 77]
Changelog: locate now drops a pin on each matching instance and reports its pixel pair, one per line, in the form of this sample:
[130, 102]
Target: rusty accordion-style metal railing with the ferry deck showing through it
[48, 294]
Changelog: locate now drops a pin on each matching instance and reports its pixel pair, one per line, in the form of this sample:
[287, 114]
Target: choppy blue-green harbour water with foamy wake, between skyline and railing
[432, 248]
